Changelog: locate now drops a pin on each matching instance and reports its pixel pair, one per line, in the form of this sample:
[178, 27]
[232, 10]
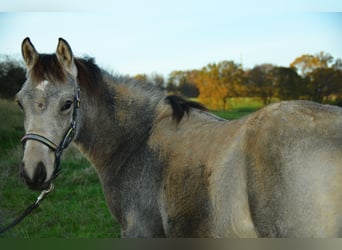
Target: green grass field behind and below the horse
[76, 208]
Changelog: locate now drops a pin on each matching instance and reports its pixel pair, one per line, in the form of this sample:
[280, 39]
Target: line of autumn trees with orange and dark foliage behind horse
[309, 77]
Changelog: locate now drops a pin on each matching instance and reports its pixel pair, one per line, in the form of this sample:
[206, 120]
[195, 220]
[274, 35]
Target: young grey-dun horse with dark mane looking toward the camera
[170, 168]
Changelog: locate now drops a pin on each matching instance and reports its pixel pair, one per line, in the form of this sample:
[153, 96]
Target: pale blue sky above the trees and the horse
[155, 36]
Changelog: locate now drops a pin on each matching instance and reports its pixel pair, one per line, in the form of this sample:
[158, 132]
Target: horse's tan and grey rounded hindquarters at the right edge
[294, 170]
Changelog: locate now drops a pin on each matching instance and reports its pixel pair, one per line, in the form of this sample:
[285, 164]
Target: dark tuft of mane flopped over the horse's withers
[180, 106]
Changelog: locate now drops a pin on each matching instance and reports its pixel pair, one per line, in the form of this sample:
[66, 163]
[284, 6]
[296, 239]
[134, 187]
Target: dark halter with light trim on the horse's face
[67, 138]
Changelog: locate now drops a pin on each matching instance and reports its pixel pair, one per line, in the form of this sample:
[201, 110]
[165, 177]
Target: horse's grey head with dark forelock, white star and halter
[49, 98]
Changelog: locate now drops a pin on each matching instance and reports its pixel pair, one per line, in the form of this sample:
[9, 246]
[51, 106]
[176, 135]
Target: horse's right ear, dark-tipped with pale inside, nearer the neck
[65, 56]
